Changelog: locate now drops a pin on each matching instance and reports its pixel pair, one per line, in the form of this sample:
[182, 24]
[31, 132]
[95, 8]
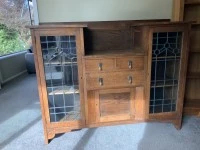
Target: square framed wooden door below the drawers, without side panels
[114, 104]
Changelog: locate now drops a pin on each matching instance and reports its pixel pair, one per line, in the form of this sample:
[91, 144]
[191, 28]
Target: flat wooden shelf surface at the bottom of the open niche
[135, 51]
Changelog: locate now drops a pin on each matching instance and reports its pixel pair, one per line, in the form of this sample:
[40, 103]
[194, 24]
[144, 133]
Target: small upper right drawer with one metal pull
[130, 63]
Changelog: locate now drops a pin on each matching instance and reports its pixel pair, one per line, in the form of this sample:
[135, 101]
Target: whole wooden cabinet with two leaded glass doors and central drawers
[89, 79]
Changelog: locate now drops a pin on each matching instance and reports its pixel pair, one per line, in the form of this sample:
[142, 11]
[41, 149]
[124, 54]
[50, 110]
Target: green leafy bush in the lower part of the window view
[10, 41]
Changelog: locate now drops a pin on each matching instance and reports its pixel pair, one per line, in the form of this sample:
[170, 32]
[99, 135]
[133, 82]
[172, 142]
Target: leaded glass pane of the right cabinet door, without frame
[166, 52]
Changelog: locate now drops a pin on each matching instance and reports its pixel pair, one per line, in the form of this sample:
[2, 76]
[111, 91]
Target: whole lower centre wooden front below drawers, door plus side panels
[112, 105]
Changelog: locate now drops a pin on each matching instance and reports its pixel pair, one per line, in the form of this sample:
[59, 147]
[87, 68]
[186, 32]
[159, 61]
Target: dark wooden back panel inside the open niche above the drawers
[107, 39]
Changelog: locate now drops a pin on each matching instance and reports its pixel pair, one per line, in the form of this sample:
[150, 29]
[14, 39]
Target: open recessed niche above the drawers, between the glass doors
[114, 41]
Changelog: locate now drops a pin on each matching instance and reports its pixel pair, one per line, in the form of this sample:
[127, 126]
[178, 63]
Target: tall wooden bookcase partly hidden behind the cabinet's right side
[189, 10]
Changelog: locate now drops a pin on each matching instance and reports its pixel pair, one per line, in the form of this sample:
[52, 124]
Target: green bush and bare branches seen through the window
[14, 16]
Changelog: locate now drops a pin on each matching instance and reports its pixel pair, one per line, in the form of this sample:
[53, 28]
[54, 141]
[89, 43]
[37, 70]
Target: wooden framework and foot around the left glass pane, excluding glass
[53, 128]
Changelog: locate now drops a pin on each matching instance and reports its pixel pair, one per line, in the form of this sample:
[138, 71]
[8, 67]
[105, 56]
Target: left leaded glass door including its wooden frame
[59, 52]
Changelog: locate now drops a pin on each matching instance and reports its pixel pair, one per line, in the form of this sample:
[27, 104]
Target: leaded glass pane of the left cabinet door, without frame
[61, 75]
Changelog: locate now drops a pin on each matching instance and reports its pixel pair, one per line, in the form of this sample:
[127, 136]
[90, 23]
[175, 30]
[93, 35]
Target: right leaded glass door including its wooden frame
[168, 71]
